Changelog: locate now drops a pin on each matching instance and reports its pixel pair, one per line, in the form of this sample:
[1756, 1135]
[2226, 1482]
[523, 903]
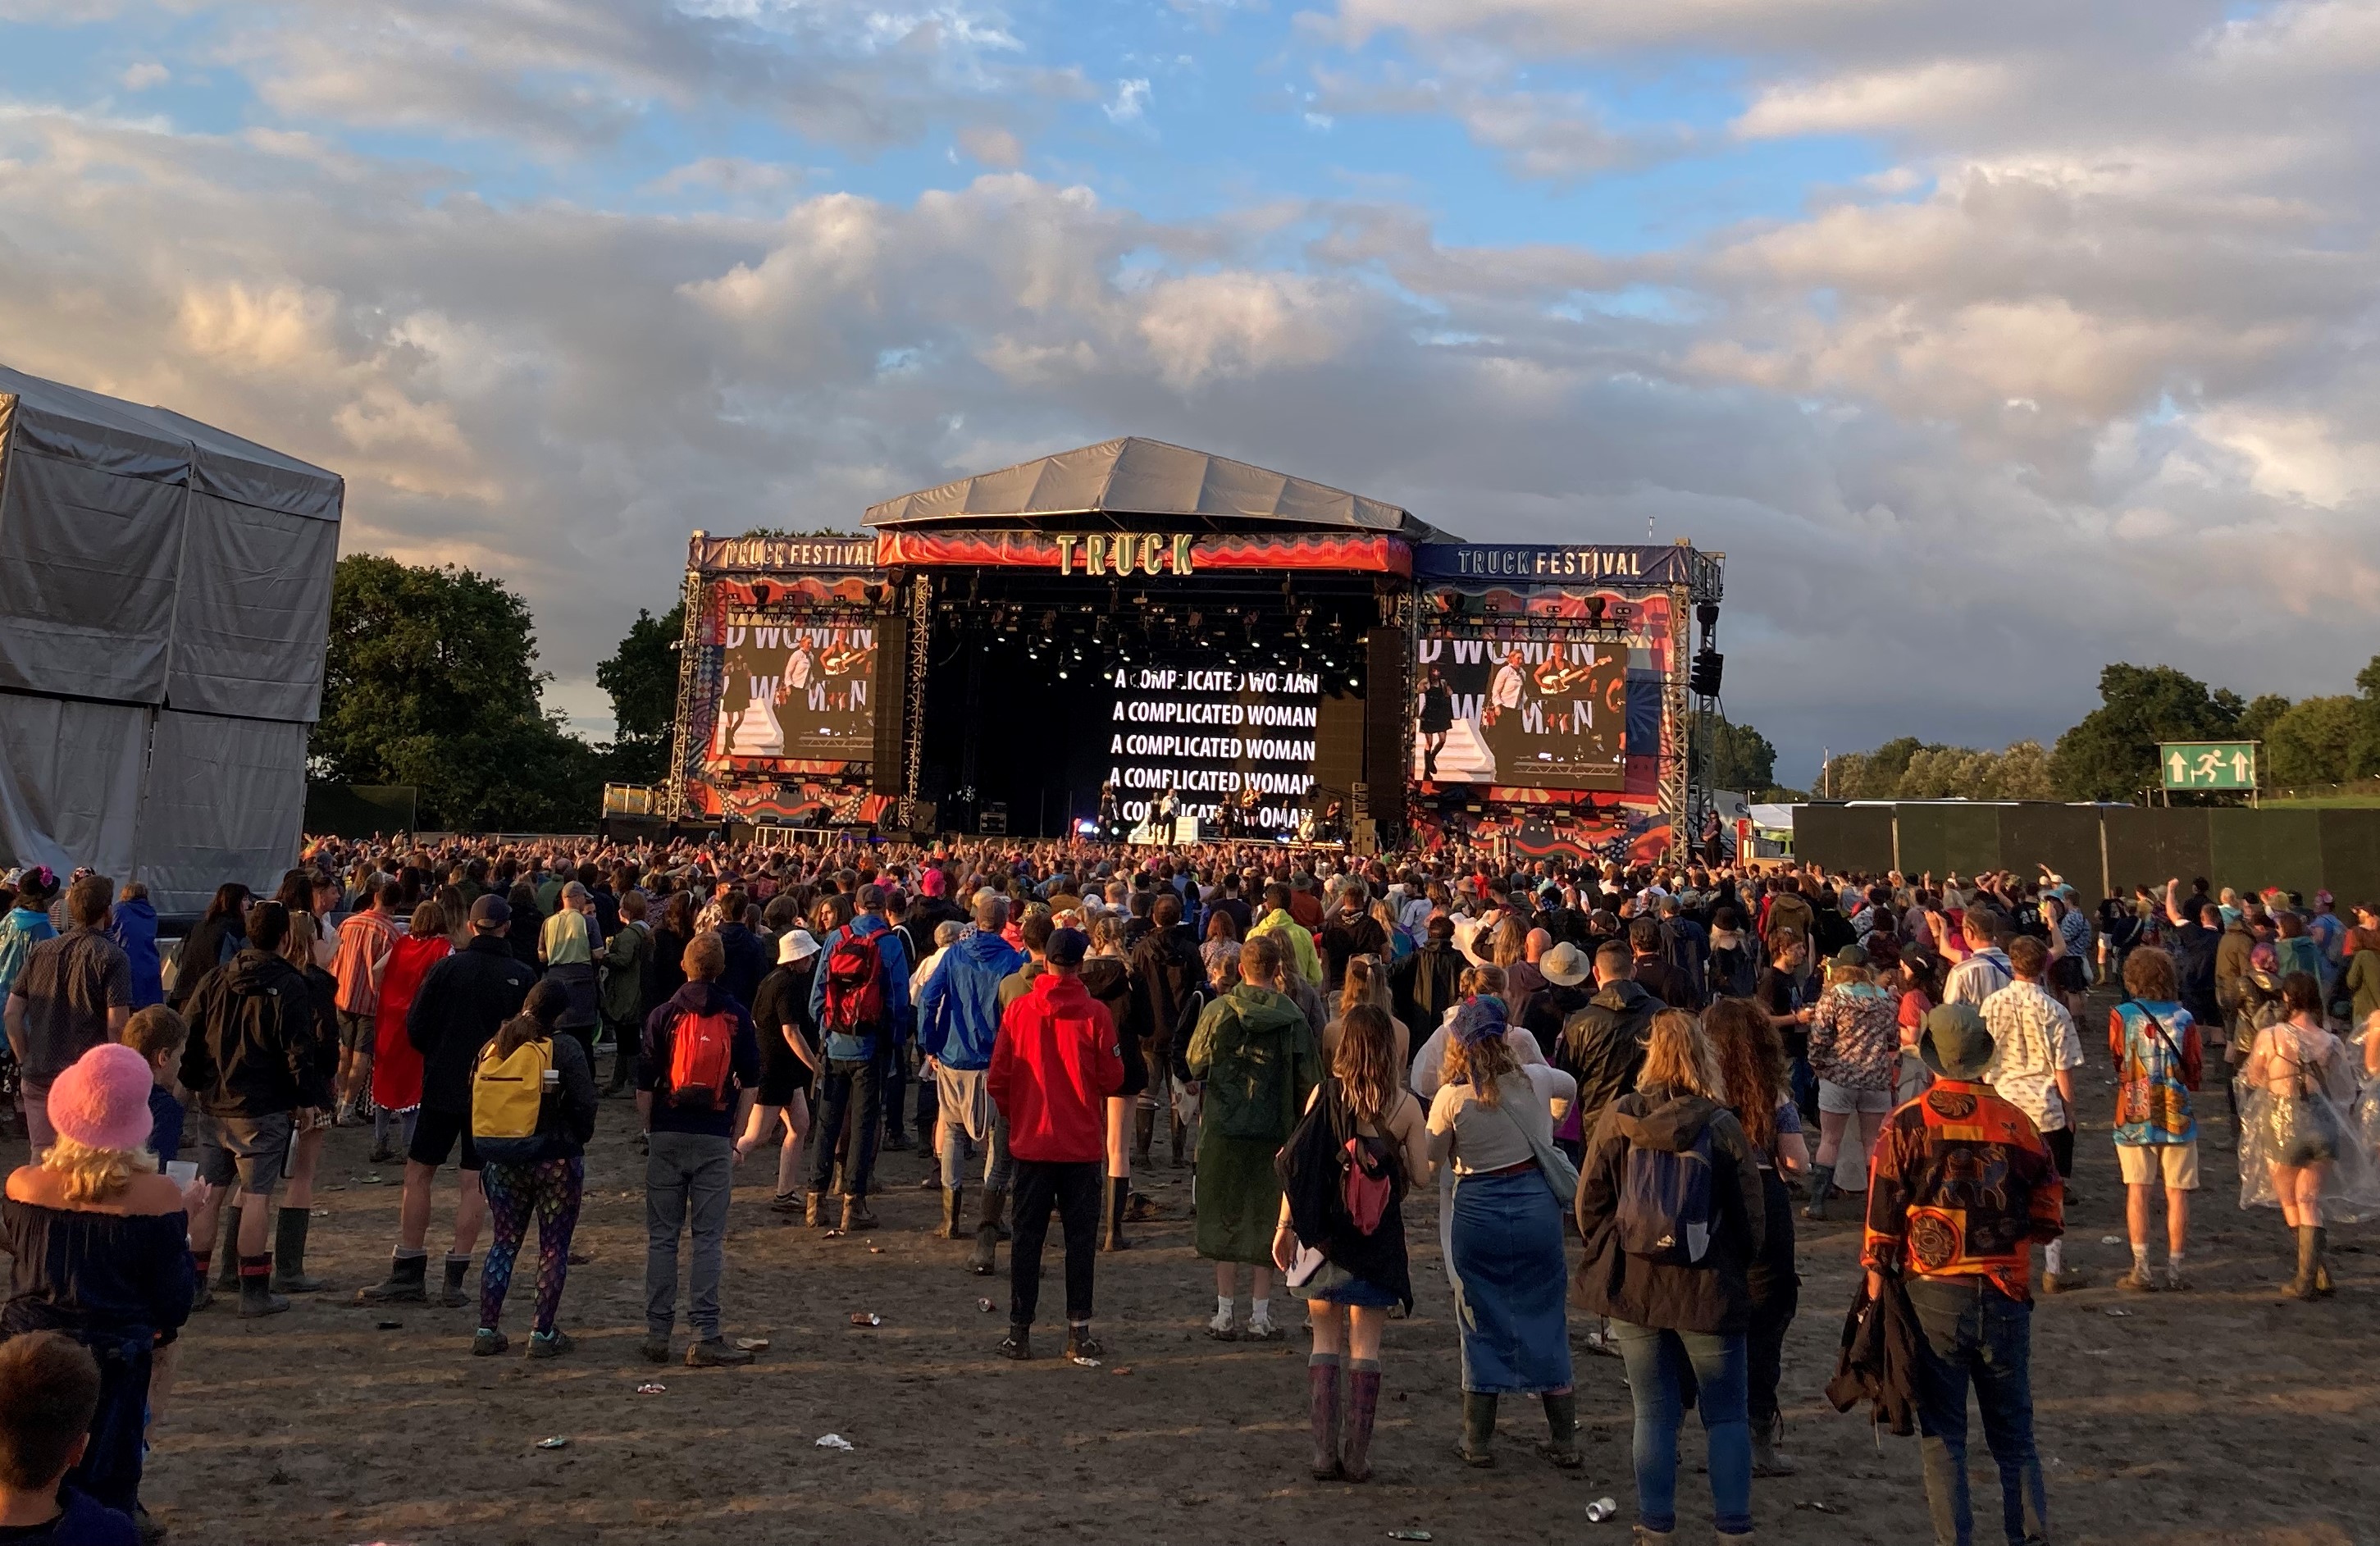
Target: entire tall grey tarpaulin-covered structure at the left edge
[165, 598]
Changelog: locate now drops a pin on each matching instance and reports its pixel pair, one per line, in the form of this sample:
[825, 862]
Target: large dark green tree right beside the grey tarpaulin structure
[432, 681]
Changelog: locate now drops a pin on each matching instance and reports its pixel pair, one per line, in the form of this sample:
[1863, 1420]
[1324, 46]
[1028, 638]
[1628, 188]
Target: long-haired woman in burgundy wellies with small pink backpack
[1377, 1126]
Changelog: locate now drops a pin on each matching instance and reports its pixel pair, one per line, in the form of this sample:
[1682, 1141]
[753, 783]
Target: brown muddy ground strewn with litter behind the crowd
[2217, 1416]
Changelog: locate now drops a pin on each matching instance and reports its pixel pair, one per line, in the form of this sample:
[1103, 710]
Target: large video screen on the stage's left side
[796, 691]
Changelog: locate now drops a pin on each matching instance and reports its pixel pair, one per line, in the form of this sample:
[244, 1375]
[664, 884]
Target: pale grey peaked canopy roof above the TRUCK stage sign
[1136, 477]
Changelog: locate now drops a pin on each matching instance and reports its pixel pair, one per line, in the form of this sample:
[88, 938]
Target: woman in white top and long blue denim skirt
[1493, 1126]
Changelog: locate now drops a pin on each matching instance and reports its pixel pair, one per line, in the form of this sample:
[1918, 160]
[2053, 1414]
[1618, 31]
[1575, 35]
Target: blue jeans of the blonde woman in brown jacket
[1658, 1364]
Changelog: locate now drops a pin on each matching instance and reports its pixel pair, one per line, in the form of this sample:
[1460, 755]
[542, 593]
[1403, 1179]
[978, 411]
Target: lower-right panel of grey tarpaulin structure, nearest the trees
[225, 800]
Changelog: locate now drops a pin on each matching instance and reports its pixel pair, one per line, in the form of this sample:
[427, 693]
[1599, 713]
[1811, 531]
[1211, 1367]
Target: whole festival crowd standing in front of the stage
[1612, 1081]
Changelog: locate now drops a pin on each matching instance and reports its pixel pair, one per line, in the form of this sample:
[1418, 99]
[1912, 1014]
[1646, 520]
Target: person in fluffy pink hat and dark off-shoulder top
[99, 1248]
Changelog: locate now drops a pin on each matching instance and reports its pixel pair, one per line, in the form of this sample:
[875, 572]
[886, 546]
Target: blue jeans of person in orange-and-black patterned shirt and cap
[1977, 1336]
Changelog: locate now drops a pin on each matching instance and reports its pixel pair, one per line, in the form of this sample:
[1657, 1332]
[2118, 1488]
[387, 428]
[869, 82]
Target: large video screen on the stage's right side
[1524, 712]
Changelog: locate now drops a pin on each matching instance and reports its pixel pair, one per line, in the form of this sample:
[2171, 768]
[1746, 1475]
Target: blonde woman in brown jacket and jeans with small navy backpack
[1674, 1214]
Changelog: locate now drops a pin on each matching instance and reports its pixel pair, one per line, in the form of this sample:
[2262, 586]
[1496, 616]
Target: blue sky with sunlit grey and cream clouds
[1991, 344]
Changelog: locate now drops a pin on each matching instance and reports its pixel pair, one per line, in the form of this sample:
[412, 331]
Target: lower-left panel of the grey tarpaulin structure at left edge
[70, 781]
